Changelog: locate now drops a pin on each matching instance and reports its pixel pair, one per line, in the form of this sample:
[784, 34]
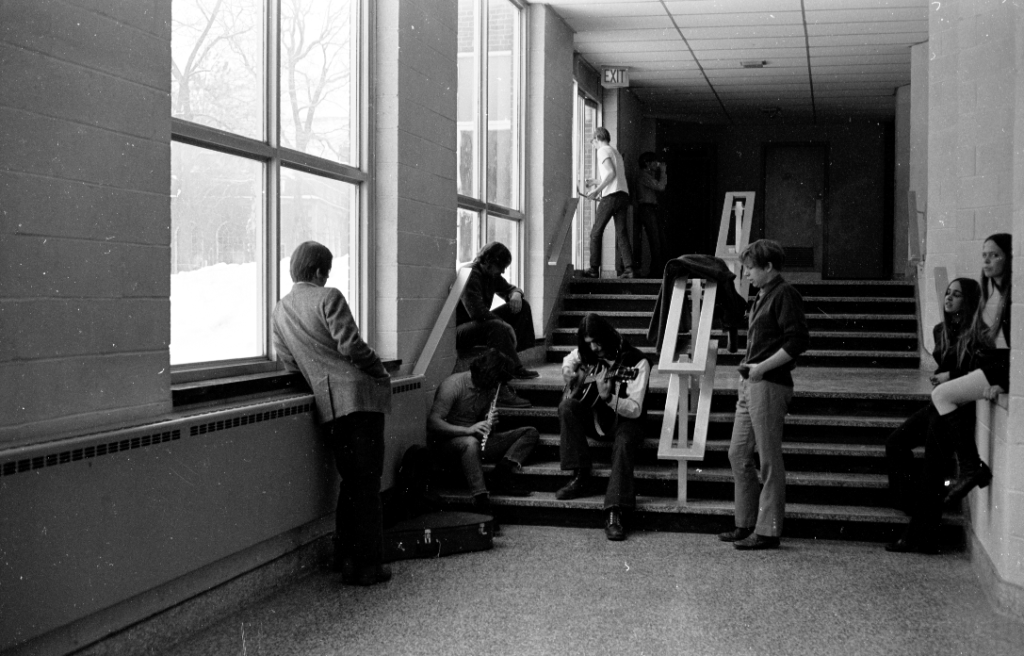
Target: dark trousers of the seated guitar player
[577, 422]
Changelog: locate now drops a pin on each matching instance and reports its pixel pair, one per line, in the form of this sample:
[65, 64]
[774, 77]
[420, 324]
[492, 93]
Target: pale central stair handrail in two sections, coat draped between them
[699, 372]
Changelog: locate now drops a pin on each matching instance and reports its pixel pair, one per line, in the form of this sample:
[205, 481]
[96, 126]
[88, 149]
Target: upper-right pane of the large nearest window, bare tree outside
[319, 83]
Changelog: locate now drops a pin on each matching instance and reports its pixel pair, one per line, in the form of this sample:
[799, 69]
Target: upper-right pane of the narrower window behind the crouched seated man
[503, 104]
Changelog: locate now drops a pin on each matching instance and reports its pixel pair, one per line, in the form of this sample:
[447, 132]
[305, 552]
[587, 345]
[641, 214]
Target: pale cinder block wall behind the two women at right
[975, 171]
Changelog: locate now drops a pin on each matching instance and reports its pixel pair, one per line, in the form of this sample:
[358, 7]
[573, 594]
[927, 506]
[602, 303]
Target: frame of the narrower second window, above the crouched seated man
[481, 206]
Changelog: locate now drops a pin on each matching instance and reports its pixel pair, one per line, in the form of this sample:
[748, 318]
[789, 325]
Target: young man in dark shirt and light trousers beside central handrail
[777, 335]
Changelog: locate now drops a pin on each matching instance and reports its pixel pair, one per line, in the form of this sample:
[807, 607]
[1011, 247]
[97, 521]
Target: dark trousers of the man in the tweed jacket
[358, 443]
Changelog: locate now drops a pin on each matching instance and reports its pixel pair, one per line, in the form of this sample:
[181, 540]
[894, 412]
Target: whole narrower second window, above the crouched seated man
[490, 127]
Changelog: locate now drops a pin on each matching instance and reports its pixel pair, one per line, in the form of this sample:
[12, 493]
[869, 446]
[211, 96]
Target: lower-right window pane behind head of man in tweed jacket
[322, 210]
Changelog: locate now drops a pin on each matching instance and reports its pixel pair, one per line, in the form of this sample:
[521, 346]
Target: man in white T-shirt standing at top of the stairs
[614, 195]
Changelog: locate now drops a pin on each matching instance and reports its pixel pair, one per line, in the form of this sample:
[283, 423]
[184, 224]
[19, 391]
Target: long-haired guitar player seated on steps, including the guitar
[606, 386]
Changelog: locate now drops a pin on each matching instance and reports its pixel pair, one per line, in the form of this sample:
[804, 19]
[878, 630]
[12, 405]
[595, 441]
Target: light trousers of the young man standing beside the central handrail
[760, 417]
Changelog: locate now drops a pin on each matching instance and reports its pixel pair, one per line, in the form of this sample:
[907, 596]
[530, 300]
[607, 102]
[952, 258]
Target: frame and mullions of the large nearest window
[274, 157]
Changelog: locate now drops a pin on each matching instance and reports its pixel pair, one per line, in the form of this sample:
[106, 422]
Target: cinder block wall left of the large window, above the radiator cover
[84, 215]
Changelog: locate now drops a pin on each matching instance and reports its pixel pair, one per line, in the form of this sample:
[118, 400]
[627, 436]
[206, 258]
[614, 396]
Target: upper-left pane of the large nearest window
[218, 63]
